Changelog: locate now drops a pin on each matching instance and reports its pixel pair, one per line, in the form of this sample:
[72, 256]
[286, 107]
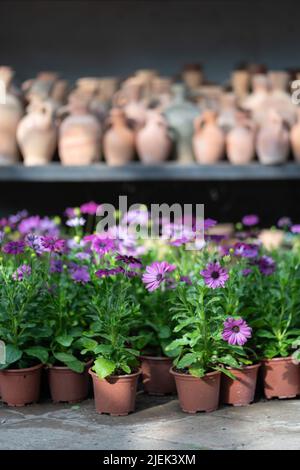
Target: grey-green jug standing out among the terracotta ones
[180, 115]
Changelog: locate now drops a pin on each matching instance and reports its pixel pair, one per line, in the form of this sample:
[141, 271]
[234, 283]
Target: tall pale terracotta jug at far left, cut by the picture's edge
[11, 111]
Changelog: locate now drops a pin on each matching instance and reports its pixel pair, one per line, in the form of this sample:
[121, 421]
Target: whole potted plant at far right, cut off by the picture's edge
[276, 312]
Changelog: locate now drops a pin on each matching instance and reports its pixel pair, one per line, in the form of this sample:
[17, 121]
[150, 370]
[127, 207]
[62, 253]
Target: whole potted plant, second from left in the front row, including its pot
[69, 360]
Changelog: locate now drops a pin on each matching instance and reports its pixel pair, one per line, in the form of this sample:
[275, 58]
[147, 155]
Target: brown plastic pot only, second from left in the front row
[67, 385]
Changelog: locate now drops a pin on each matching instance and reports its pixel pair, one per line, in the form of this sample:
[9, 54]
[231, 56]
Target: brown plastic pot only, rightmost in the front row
[281, 377]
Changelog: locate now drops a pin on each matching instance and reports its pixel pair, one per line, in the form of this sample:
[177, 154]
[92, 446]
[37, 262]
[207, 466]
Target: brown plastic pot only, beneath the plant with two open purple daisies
[198, 394]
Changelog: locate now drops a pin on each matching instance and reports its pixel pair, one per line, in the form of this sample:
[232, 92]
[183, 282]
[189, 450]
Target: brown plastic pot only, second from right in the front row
[241, 391]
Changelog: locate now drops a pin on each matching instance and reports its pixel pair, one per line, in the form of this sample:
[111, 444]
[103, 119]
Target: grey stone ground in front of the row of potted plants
[158, 424]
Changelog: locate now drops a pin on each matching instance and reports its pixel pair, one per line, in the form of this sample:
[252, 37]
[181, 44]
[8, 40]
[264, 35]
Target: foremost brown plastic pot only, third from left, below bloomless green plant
[116, 394]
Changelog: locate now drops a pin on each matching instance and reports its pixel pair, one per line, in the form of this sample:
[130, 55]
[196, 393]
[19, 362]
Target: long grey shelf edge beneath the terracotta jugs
[138, 172]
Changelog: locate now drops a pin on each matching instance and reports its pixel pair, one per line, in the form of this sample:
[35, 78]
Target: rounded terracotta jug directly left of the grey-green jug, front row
[153, 142]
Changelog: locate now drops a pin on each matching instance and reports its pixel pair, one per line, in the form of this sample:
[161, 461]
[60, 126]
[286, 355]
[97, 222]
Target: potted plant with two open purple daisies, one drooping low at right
[203, 353]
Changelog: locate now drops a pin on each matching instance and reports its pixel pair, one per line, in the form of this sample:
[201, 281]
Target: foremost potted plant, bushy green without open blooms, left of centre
[114, 313]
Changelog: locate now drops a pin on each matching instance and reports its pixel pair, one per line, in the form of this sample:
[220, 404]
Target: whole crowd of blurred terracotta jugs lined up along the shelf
[149, 118]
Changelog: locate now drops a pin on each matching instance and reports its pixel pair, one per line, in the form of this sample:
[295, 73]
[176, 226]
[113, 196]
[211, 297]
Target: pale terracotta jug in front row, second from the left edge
[37, 134]
